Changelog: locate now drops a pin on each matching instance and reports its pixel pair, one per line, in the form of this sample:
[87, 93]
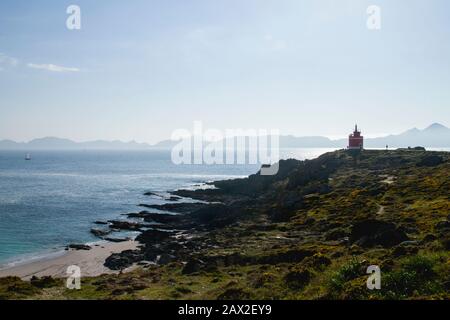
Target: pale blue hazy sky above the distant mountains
[139, 69]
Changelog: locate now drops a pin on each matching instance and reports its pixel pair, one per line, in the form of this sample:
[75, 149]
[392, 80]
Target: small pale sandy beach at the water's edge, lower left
[89, 261]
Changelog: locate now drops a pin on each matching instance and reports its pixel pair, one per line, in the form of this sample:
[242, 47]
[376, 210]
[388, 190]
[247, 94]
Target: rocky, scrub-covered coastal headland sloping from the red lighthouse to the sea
[308, 232]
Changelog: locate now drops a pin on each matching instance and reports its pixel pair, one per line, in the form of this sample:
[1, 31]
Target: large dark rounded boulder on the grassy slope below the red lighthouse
[370, 233]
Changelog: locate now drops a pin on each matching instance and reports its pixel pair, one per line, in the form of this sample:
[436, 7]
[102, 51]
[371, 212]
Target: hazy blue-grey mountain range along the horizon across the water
[436, 135]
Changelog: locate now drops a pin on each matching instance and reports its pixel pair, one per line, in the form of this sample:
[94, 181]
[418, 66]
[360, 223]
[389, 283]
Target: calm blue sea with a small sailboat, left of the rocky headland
[53, 200]
